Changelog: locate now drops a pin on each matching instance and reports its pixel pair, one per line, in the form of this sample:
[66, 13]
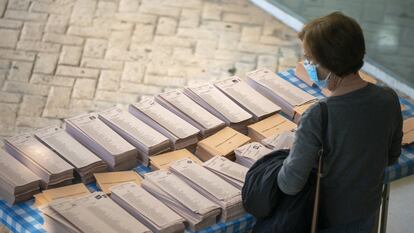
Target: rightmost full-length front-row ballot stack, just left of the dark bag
[211, 186]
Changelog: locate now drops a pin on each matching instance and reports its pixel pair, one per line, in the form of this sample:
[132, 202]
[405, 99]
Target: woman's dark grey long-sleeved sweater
[364, 135]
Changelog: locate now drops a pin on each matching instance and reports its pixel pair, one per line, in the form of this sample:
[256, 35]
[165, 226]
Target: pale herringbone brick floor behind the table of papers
[59, 58]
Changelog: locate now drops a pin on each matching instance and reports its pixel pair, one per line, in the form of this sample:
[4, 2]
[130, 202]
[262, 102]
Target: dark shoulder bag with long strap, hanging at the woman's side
[276, 212]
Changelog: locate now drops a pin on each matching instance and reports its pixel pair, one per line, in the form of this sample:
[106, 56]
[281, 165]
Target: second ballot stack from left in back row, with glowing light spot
[53, 170]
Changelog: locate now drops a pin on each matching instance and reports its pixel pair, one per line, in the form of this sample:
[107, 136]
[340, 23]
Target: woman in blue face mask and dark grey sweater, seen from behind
[364, 129]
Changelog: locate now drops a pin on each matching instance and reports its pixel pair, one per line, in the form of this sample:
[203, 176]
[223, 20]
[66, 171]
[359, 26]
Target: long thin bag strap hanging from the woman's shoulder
[321, 155]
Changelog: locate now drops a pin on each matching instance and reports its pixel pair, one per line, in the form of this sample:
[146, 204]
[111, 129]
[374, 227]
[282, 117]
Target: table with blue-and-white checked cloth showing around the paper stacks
[25, 217]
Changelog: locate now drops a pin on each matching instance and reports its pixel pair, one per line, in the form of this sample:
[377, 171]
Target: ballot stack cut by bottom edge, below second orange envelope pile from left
[147, 209]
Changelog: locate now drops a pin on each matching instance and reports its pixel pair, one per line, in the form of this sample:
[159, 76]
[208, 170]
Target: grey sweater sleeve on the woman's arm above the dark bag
[302, 157]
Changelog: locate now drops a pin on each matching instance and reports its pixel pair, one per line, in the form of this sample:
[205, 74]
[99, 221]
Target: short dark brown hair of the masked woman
[336, 42]
